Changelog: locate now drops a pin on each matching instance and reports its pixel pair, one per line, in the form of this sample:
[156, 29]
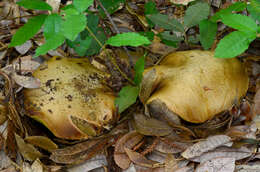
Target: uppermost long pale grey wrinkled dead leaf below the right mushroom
[204, 146]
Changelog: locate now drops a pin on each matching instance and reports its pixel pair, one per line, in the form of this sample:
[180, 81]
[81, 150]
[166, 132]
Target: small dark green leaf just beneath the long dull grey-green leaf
[170, 38]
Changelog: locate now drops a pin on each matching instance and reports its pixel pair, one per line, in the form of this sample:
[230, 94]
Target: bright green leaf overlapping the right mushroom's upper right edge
[234, 44]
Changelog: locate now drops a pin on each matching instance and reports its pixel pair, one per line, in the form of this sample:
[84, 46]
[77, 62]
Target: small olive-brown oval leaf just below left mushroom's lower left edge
[42, 142]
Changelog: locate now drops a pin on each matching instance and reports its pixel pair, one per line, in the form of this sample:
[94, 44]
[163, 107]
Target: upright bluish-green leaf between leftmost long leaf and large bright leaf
[52, 26]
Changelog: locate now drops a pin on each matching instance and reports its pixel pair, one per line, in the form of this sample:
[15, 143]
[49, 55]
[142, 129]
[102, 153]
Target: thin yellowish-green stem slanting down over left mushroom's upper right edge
[112, 59]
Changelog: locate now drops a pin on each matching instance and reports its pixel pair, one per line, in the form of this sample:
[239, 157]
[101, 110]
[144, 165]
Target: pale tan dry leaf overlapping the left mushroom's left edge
[26, 81]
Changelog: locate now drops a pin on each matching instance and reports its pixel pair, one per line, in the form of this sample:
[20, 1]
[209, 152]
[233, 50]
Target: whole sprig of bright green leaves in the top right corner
[238, 41]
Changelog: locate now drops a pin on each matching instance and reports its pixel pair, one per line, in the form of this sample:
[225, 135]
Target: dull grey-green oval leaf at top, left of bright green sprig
[195, 13]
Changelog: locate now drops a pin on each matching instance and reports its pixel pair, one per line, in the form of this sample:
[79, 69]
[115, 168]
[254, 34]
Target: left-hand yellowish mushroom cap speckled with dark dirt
[73, 102]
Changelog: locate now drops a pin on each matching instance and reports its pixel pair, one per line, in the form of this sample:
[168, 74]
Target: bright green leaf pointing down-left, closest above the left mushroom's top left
[50, 44]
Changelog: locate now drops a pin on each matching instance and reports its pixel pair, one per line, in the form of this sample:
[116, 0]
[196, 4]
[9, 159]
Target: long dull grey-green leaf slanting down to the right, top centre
[165, 22]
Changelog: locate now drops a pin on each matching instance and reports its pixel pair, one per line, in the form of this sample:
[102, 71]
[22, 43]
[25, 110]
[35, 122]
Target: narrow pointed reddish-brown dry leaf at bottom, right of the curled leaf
[141, 160]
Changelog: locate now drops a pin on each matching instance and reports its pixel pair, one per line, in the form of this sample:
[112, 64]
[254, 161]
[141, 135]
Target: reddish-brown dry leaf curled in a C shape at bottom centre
[129, 140]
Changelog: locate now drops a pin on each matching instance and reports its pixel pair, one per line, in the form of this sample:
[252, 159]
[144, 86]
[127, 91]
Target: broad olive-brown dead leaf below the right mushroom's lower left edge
[151, 126]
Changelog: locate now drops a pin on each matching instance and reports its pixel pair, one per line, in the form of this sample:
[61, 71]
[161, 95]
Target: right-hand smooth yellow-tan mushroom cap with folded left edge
[192, 85]
